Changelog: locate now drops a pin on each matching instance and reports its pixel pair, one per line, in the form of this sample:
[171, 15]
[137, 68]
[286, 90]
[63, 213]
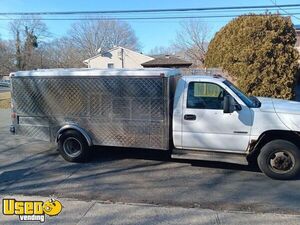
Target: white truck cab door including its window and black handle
[206, 127]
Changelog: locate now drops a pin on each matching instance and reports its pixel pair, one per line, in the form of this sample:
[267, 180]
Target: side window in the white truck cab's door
[204, 95]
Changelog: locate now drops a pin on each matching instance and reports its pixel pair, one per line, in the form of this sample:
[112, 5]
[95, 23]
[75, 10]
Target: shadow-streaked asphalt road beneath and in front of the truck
[33, 167]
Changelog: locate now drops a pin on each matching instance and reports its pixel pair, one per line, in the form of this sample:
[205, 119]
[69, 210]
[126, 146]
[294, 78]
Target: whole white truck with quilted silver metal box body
[192, 117]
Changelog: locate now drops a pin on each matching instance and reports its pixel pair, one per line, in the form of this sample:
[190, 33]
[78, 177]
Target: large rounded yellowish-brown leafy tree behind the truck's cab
[258, 51]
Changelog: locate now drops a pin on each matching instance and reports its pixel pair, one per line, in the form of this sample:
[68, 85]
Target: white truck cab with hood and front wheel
[211, 115]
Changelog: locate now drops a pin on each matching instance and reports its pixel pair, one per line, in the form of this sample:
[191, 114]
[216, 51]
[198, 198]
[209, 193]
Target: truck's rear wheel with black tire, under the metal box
[73, 147]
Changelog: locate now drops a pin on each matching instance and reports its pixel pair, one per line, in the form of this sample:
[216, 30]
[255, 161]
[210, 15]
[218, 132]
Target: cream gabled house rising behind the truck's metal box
[117, 57]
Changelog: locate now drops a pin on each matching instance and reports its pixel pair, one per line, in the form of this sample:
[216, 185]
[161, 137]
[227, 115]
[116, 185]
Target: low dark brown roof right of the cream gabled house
[167, 61]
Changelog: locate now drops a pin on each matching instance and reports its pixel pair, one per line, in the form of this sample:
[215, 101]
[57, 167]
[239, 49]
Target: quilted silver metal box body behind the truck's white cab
[126, 108]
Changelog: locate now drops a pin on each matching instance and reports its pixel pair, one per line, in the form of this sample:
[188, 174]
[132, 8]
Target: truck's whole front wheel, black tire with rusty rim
[280, 159]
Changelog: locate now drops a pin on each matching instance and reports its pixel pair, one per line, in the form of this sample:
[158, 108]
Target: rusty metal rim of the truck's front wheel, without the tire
[281, 161]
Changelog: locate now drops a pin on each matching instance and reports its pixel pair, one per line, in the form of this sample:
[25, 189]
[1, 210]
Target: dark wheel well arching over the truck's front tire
[268, 136]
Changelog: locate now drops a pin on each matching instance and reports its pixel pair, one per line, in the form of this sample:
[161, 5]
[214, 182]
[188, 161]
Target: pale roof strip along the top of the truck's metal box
[165, 72]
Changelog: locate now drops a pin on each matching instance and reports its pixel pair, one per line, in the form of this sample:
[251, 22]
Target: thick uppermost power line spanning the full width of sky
[146, 10]
